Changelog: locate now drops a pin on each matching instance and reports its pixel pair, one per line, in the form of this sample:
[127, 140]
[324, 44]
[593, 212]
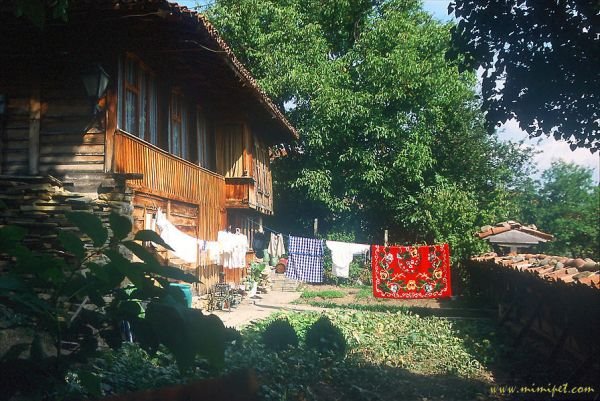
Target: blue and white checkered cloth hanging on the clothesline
[305, 262]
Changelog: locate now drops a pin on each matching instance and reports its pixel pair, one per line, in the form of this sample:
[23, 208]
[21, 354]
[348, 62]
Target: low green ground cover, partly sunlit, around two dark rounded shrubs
[390, 356]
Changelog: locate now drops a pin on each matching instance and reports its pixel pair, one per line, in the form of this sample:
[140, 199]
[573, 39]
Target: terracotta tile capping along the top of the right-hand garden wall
[581, 271]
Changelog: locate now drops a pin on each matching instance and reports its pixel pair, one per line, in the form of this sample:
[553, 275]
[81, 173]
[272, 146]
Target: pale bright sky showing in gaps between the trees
[550, 149]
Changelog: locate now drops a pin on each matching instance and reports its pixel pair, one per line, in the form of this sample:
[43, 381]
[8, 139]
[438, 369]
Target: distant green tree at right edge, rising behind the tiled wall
[569, 208]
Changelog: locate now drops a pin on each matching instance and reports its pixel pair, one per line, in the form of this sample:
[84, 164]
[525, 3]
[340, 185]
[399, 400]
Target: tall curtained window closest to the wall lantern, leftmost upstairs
[139, 109]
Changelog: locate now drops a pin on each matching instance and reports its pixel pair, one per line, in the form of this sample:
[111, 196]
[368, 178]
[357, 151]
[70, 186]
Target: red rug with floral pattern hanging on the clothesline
[411, 272]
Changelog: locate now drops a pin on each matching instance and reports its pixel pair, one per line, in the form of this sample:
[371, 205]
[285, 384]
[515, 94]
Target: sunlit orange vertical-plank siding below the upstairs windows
[172, 178]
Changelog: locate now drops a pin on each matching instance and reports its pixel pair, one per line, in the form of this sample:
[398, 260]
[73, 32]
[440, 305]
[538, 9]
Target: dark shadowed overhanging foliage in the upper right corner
[540, 63]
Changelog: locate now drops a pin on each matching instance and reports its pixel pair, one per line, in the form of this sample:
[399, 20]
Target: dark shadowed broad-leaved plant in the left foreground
[77, 298]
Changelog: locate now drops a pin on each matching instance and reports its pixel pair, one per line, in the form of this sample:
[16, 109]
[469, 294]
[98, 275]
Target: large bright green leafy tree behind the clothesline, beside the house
[385, 119]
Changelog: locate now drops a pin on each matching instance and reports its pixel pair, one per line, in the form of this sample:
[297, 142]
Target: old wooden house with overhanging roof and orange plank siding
[177, 123]
